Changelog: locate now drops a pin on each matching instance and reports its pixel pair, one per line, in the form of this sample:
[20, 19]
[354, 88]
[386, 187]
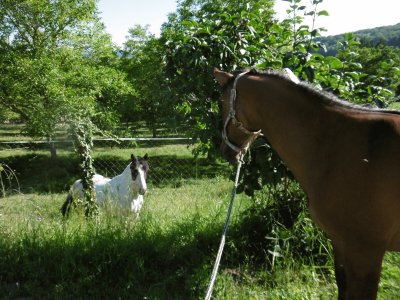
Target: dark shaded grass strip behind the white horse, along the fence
[40, 173]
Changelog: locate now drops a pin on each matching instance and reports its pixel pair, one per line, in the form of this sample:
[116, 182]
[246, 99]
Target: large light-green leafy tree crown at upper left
[56, 62]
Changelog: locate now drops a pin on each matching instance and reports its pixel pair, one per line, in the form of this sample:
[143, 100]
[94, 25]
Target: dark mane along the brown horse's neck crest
[324, 96]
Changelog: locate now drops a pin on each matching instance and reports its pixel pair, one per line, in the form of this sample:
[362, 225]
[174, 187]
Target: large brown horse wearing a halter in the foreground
[345, 157]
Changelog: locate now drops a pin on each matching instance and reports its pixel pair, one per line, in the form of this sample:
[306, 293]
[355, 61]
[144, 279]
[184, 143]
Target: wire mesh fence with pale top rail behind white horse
[41, 166]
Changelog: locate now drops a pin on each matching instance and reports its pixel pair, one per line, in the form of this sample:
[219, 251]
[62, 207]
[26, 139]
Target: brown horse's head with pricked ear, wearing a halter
[236, 138]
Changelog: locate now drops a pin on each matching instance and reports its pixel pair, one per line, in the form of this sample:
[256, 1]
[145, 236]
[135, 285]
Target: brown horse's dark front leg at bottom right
[363, 268]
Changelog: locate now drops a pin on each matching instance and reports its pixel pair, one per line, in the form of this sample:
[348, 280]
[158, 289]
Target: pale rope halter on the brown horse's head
[232, 116]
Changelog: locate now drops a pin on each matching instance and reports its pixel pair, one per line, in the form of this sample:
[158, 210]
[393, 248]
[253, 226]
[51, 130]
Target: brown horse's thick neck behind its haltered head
[290, 121]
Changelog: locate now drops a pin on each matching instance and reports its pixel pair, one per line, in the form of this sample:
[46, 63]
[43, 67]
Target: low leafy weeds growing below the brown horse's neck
[278, 226]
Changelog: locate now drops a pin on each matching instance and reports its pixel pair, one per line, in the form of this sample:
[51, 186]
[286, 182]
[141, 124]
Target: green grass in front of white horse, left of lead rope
[156, 256]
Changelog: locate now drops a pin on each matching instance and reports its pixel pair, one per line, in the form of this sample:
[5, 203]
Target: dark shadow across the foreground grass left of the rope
[112, 263]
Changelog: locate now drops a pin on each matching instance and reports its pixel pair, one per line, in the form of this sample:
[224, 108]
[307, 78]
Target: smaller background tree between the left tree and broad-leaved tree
[143, 60]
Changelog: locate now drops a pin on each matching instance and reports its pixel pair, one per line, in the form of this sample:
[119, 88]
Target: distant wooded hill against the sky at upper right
[389, 35]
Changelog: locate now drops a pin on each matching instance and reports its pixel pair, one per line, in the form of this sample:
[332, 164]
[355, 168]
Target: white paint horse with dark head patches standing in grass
[126, 189]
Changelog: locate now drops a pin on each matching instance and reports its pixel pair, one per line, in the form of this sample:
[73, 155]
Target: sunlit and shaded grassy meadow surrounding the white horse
[169, 250]
